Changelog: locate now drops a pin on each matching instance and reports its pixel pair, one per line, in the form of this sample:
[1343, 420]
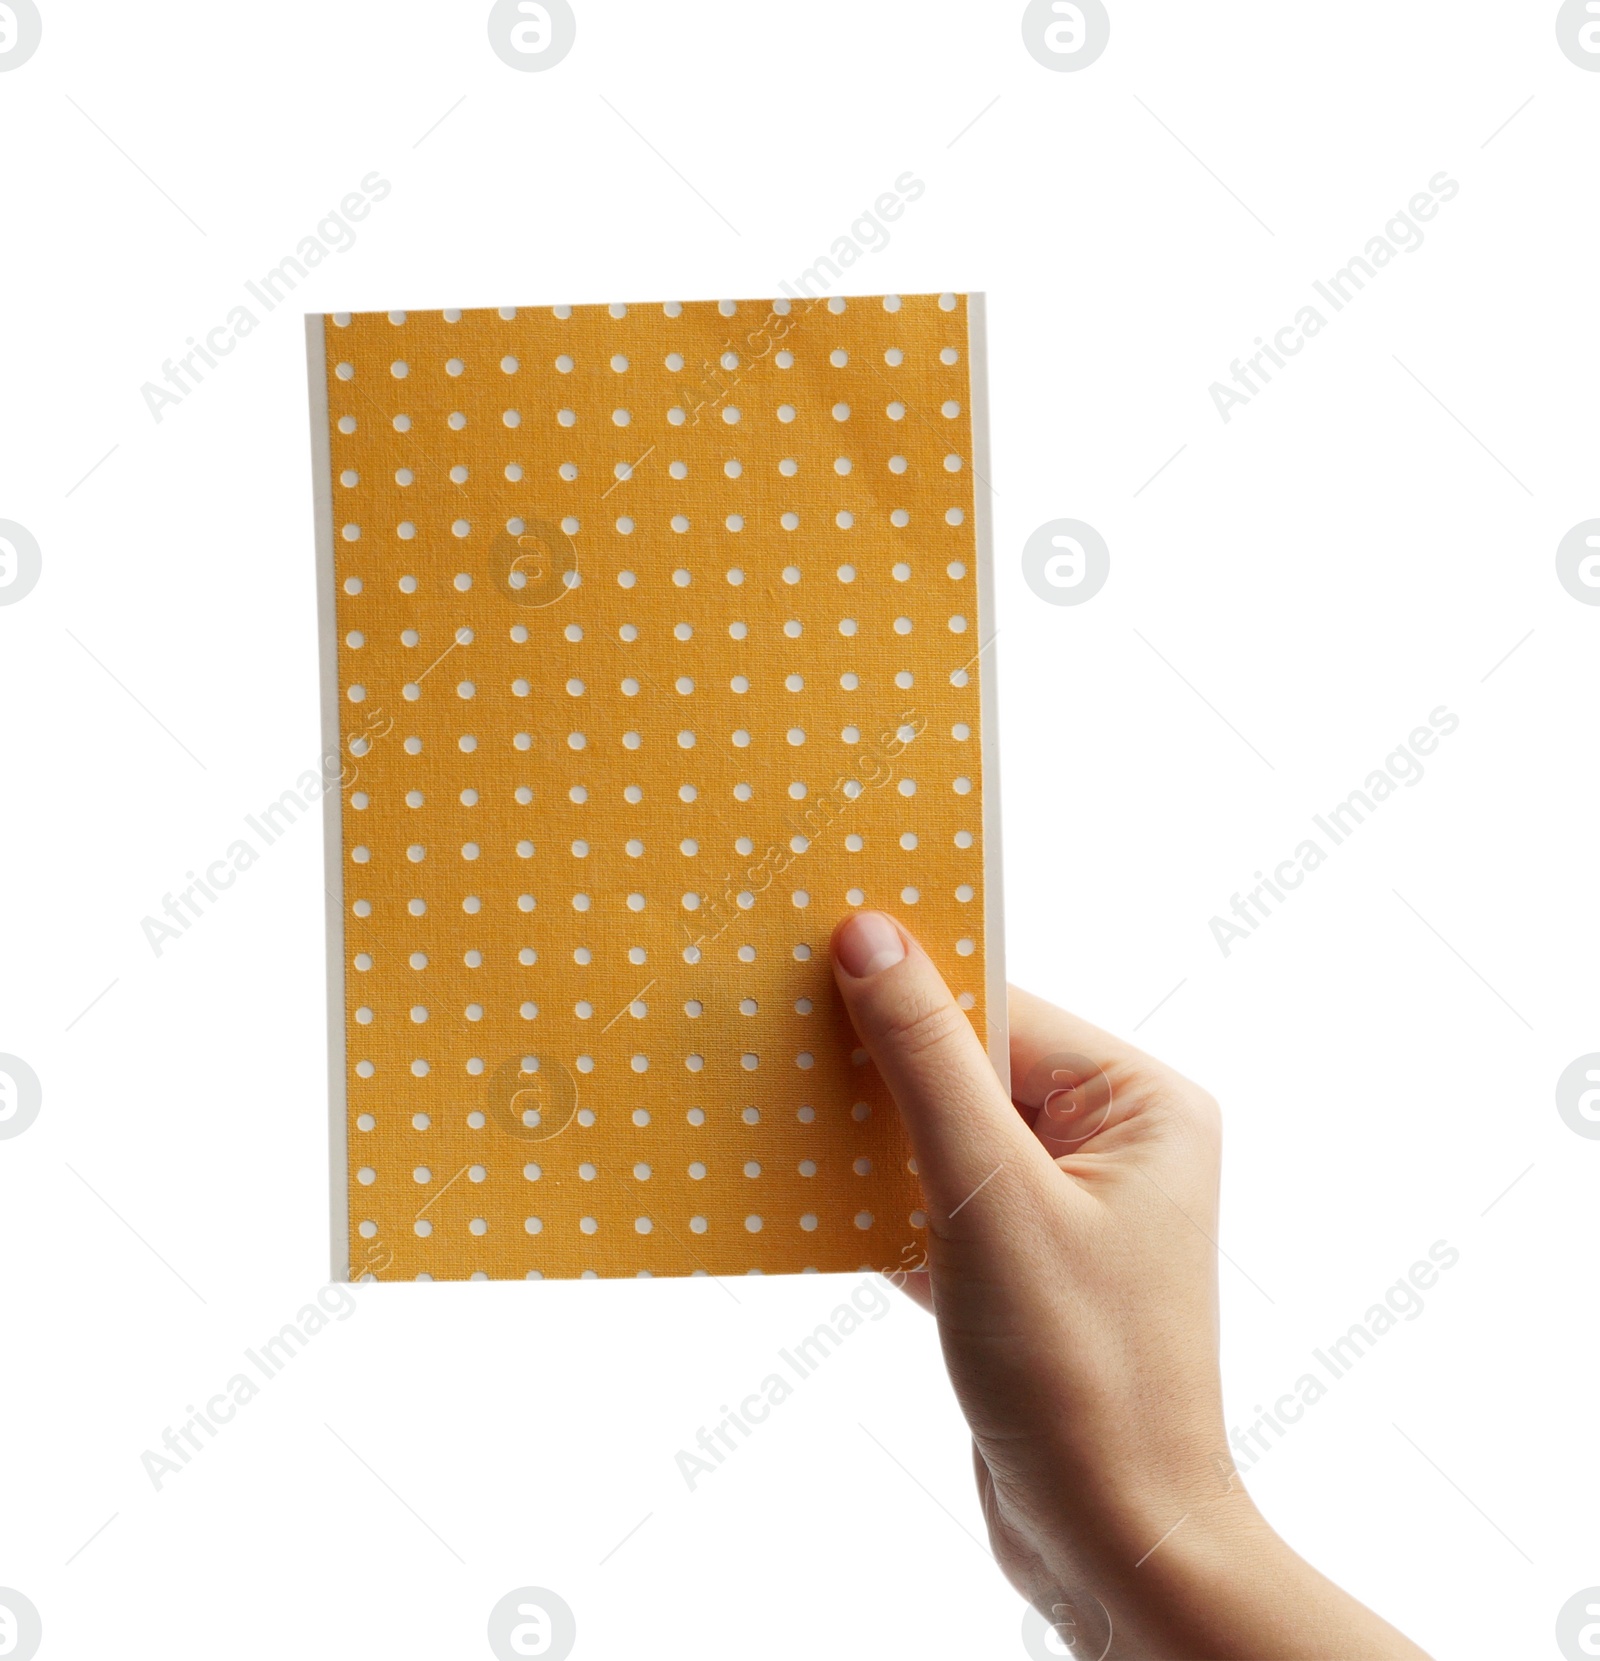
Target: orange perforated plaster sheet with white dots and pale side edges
[654, 644]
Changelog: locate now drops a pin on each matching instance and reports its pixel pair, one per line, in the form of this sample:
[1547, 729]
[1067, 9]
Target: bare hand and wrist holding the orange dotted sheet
[1072, 1271]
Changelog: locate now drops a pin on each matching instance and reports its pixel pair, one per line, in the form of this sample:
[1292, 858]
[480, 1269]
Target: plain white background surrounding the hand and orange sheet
[1360, 546]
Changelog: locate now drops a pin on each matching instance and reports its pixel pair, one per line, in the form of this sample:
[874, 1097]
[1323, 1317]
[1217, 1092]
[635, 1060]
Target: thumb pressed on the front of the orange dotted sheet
[961, 1122]
